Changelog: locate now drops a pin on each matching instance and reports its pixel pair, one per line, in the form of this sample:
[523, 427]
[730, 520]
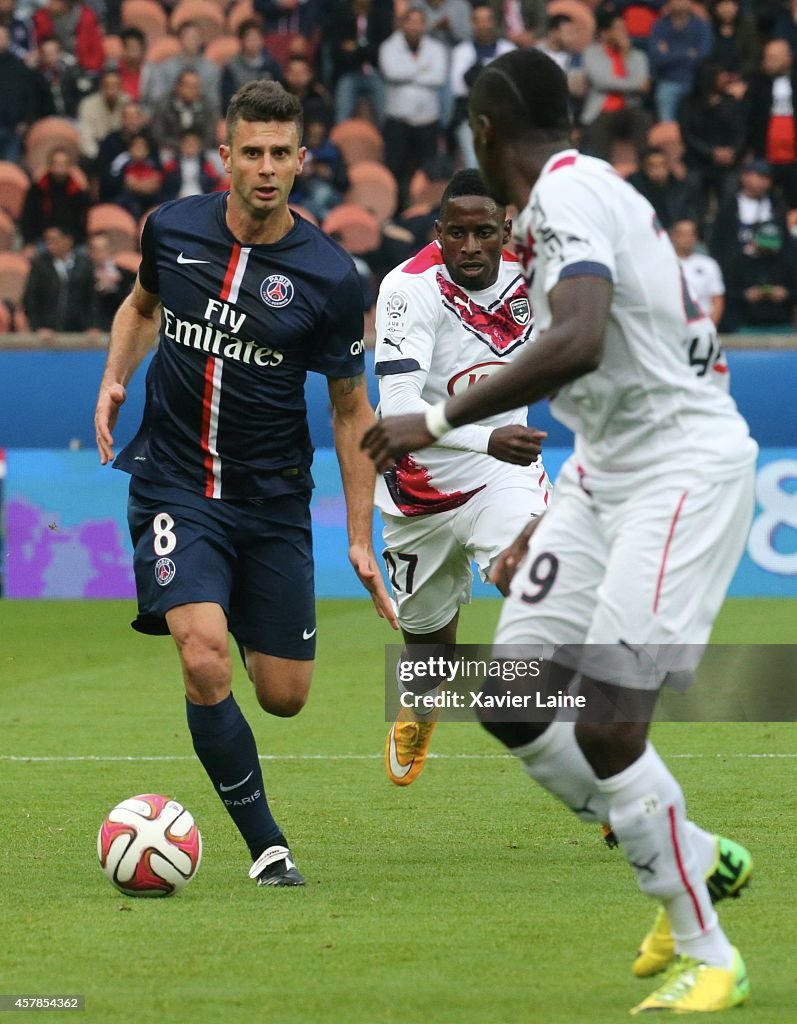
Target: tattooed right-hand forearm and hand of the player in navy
[352, 416]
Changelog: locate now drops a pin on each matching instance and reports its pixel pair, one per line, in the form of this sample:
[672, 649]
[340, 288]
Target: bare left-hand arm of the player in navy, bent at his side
[133, 335]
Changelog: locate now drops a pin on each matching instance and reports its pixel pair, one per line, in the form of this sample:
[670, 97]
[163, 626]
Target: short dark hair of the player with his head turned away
[525, 95]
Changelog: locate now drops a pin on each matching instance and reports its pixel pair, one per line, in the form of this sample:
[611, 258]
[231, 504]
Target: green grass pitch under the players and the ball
[470, 899]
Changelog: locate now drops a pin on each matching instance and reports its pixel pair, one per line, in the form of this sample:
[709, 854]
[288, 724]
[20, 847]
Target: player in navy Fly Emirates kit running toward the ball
[246, 298]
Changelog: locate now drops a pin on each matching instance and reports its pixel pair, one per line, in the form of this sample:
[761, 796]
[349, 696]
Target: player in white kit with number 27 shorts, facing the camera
[450, 317]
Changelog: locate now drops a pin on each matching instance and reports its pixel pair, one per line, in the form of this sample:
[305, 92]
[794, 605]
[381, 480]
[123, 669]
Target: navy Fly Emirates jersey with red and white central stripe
[241, 326]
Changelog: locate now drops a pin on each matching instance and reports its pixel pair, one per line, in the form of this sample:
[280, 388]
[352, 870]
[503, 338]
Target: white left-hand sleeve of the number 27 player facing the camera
[406, 321]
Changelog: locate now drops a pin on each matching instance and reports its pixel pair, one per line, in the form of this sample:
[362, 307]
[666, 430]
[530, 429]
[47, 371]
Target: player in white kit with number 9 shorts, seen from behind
[651, 517]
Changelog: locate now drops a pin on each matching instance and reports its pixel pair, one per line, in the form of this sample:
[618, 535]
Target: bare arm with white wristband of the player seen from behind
[572, 348]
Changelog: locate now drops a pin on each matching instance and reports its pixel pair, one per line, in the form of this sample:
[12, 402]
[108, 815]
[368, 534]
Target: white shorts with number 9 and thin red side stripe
[652, 569]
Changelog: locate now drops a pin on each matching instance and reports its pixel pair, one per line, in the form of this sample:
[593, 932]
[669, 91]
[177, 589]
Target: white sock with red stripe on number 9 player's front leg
[648, 814]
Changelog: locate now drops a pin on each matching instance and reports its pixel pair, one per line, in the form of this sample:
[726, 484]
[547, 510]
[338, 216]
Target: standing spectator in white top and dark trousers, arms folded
[414, 67]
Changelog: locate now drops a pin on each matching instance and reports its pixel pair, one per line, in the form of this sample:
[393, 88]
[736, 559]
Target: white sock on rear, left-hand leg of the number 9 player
[557, 762]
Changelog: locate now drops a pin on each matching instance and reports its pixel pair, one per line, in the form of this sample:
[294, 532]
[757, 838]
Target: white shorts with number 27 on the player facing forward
[429, 558]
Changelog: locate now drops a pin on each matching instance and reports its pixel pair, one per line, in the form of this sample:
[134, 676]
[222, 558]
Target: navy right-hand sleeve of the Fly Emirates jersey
[340, 352]
